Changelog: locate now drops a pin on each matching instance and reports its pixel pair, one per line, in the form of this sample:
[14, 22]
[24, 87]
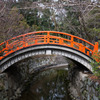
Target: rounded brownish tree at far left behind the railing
[12, 24]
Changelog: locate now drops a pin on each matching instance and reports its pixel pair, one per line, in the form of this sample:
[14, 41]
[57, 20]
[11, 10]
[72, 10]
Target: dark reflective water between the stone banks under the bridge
[48, 85]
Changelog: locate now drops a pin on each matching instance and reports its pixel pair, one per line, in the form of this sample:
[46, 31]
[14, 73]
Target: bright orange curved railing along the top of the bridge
[47, 37]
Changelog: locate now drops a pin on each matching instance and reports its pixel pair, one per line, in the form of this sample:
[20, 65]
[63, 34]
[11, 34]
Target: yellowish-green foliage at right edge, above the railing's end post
[93, 22]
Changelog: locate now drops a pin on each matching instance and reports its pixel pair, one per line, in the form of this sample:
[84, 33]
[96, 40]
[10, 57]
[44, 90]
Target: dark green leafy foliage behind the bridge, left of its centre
[39, 20]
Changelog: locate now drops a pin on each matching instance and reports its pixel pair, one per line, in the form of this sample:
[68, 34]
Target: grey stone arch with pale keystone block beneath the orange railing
[45, 50]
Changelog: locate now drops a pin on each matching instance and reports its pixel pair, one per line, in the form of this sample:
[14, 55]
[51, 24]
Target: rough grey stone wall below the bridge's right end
[82, 87]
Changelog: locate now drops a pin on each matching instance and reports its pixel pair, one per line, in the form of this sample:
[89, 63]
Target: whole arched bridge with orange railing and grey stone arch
[46, 42]
